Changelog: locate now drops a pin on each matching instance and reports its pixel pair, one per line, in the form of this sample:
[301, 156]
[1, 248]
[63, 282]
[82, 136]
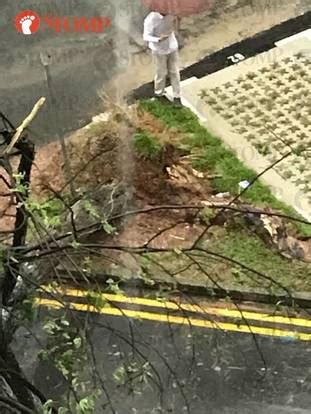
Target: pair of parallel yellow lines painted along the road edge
[185, 320]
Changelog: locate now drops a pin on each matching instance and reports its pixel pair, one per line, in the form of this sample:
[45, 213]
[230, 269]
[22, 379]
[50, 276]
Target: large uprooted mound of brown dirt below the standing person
[106, 153]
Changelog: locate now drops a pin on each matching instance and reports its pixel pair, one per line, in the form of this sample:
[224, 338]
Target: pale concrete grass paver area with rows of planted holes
[261, 108]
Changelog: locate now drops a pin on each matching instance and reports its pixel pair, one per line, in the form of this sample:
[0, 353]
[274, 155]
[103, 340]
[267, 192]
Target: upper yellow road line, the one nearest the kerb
[231, 313]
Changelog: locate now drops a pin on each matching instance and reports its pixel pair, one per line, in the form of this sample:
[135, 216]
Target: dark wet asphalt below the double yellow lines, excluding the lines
[193, 370]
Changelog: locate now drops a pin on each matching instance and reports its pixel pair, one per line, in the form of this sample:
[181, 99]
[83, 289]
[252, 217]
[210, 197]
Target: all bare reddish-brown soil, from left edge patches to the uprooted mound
[103, 153]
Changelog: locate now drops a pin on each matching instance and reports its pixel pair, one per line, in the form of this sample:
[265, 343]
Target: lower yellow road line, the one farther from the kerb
[176, 320]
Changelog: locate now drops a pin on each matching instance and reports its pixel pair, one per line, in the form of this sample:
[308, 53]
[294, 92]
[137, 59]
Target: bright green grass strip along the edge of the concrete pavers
[217, 158]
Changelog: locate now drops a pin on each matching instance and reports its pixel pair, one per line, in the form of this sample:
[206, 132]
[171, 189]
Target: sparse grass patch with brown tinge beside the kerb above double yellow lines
[243, 247]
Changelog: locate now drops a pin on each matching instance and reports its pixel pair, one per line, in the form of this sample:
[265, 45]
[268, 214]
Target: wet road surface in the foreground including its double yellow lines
[201, 357]
